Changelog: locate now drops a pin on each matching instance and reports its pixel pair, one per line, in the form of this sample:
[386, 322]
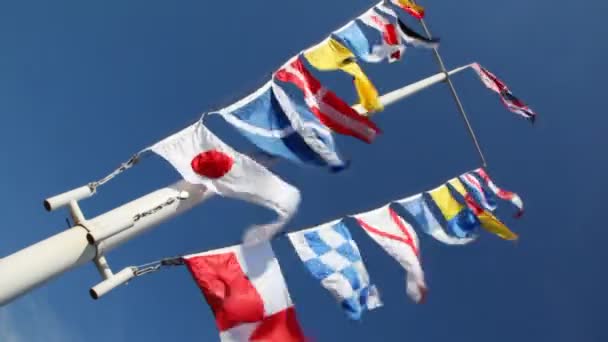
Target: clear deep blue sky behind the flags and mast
[84, 85]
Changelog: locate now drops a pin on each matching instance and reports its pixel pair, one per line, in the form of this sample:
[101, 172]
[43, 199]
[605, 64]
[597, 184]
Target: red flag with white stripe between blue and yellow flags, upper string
[332, 111]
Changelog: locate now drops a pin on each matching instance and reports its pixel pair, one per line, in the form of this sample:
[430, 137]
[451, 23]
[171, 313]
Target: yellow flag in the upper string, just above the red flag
[331, 55]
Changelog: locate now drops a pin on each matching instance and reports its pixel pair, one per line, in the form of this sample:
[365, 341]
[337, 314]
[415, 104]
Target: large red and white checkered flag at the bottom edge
[247, 293]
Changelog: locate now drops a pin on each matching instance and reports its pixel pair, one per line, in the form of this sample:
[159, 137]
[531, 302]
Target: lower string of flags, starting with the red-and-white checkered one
[249, 297]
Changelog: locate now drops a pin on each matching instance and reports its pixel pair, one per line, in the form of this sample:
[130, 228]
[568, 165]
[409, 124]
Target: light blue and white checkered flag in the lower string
[332, 256]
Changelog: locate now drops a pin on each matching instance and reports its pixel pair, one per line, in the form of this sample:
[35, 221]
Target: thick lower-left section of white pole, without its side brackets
[37, 264]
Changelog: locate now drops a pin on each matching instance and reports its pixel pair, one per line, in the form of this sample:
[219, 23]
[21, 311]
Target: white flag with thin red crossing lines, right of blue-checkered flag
[400, 241]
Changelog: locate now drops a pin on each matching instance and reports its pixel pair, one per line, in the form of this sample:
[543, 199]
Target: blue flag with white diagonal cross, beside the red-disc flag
[282, 128]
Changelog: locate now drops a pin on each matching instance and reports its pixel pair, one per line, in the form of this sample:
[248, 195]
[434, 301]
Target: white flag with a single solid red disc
[202, 158]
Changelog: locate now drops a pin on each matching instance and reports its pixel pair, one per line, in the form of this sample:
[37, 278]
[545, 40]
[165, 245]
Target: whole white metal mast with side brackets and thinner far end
[37, 264]
